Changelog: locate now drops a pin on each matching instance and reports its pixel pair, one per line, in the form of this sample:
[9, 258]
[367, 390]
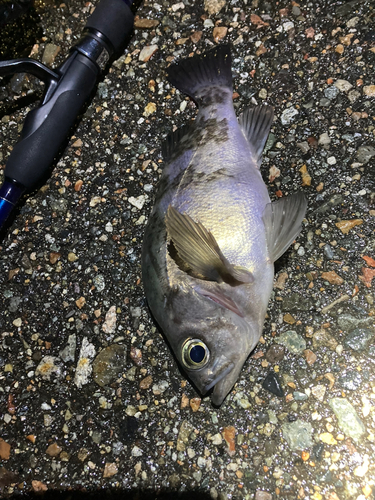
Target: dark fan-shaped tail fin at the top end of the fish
[195, 74]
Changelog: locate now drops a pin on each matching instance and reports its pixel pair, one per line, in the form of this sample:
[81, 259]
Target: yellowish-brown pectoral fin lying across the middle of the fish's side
[198, 248]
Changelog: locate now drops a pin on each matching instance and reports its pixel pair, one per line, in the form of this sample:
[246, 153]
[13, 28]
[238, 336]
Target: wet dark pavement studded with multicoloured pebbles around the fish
[92, 400]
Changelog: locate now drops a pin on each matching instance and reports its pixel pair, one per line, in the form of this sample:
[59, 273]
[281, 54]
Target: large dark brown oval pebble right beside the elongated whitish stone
[108, 364]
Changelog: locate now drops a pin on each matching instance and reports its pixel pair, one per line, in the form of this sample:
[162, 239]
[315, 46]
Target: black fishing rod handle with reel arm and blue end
[67, 89]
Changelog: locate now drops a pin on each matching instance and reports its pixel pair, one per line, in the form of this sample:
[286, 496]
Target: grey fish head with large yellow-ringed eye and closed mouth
[210, 337]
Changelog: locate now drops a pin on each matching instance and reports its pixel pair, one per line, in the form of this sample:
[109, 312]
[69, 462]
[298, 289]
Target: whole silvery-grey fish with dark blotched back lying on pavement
[213, 234]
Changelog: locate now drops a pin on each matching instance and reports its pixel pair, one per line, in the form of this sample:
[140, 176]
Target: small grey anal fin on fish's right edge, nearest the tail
[256, 123]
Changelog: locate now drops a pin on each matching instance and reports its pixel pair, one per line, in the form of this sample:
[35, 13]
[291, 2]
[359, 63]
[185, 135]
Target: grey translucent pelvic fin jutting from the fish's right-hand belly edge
[282, 220]
